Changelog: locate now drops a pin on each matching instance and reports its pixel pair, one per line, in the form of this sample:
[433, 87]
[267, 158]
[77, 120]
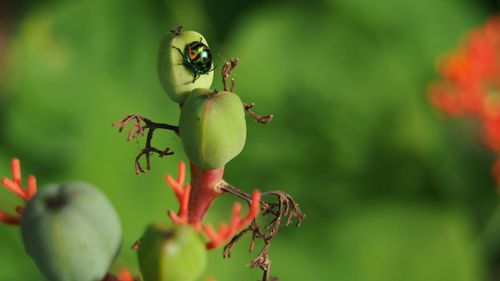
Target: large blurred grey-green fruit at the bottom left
[71, 231]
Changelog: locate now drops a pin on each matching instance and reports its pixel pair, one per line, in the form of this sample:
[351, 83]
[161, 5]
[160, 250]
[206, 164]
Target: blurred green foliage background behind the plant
[393, 189]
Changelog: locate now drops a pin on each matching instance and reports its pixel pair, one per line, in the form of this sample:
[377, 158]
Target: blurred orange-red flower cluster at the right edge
[470, 84]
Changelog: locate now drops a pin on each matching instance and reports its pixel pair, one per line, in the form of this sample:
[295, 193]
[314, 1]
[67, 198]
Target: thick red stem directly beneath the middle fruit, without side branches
[204, 190]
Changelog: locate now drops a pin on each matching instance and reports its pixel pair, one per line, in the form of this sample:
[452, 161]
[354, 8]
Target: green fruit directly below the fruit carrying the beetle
[212, 127]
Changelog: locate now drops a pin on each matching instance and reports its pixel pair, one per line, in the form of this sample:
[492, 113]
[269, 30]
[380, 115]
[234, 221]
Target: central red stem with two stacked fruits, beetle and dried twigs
[212, 128]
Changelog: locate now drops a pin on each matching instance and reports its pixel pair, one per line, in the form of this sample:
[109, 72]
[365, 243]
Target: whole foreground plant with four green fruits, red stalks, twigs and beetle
[71, 230]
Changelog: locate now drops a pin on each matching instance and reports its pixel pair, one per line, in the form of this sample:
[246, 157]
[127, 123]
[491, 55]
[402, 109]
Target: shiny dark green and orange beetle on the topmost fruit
[197, 57]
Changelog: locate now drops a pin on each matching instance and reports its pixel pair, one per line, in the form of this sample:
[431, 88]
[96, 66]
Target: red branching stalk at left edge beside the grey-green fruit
[14, 185]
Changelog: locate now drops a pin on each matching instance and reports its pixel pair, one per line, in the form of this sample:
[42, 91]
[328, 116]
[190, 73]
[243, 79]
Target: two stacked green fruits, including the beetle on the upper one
[212, 124]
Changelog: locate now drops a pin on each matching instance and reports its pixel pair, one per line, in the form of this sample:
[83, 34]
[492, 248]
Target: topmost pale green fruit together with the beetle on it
[180, 71]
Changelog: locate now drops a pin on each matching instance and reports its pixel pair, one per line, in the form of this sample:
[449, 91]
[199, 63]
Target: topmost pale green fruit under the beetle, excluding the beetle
[175, 77]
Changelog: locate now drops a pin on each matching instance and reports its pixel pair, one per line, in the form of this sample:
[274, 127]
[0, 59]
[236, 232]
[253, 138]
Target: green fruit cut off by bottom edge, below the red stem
[171, 253]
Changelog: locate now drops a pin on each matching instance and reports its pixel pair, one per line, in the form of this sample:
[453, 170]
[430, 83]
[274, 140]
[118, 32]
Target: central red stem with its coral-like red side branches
[195, 199]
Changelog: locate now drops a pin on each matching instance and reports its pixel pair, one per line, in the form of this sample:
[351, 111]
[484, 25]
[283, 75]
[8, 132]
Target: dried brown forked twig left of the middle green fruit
[137, 130]
